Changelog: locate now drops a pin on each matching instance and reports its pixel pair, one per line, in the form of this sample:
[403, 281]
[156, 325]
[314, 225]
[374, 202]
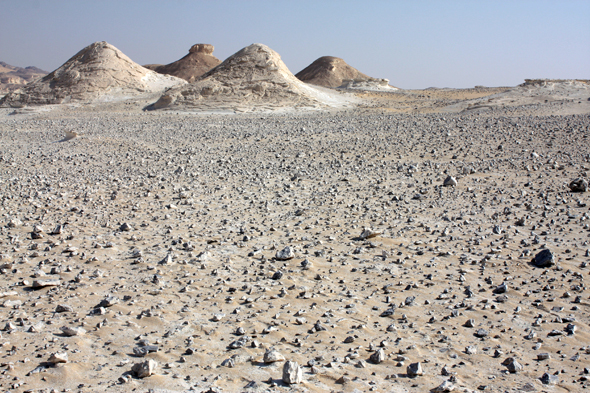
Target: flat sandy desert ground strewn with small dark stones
[161, 235]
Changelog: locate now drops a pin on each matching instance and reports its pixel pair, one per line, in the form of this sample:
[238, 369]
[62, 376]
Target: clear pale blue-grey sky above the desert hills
[413, 43]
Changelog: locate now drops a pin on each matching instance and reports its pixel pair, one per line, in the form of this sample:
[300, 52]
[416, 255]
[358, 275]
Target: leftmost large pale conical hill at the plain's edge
[99, 72]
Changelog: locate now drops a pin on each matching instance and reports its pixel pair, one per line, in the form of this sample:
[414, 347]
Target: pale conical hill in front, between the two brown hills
[254, 78]
